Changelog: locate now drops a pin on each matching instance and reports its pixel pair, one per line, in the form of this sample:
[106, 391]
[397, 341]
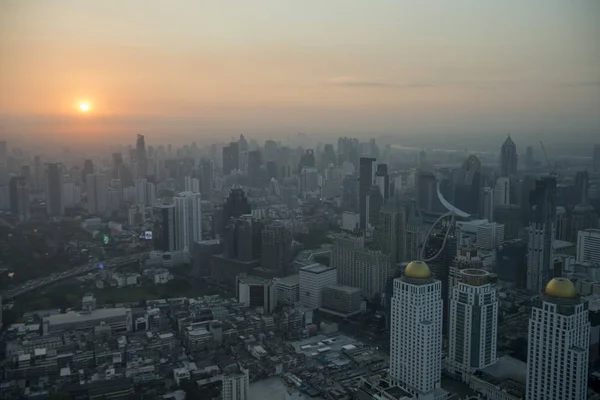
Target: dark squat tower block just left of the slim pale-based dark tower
[511, 262]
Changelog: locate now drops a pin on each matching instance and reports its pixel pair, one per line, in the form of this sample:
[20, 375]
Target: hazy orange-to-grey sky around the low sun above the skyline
[317, 66]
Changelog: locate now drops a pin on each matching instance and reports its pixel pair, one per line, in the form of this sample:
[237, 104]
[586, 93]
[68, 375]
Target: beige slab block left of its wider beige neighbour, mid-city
[343, 257]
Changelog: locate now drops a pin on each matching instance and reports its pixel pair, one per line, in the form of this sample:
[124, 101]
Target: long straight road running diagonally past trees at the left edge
[83, 269]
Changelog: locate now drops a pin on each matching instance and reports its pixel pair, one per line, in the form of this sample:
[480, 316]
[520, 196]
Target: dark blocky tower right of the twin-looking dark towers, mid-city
[276, 252]
